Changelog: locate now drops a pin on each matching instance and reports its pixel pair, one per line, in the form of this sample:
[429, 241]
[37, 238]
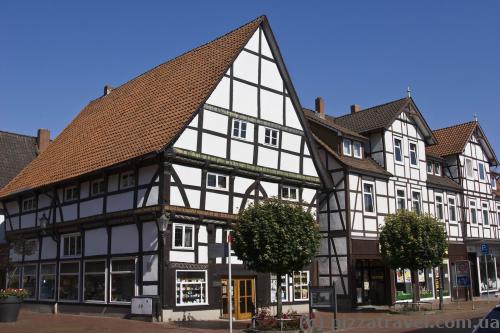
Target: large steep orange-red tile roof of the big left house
[138, 118]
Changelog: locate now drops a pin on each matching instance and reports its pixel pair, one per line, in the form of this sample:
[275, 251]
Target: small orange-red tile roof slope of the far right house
[451, 140]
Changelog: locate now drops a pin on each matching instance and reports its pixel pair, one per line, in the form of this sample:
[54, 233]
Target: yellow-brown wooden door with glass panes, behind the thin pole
[243, 297]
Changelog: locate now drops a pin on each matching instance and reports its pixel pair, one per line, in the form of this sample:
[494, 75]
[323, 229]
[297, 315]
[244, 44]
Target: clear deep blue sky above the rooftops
[56, 56]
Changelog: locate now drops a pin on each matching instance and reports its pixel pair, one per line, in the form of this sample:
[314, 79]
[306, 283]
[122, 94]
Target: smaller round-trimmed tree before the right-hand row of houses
[413, 241]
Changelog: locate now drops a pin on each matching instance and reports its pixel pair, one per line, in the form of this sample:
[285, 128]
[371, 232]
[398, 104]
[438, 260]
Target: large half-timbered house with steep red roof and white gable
[127, 199]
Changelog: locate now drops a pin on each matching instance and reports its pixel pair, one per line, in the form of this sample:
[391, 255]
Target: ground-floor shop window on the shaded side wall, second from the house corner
[94, 281]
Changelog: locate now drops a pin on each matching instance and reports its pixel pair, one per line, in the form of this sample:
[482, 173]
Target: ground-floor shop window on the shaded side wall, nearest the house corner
[122, 285]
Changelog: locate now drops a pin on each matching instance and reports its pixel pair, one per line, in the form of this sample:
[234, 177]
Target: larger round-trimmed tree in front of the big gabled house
[275, 236]
